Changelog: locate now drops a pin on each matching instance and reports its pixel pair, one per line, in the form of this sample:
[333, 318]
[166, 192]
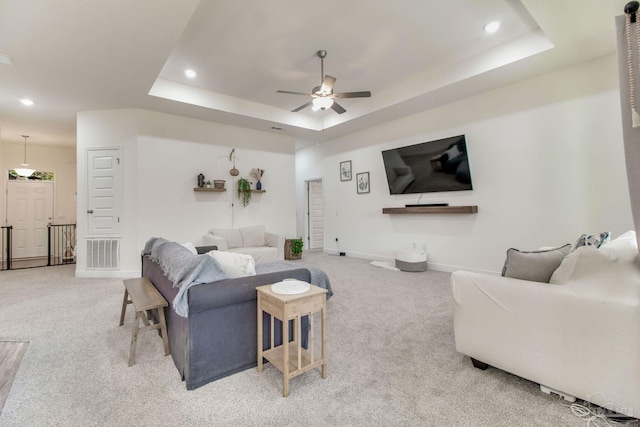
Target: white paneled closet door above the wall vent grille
[104, 177]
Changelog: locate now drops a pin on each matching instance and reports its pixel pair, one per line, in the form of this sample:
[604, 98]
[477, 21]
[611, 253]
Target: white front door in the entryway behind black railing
[29, 211]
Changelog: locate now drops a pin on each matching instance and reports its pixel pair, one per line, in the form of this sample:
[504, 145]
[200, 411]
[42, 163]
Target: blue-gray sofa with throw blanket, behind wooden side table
[218, 337]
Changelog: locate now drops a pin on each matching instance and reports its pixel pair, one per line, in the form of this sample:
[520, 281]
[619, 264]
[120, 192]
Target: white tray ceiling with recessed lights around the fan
[75, 55]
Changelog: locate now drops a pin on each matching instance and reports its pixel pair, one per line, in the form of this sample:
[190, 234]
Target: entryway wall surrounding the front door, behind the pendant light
[59, 160]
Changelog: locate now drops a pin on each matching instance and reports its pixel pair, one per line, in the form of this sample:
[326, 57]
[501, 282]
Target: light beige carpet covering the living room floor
[392, 361]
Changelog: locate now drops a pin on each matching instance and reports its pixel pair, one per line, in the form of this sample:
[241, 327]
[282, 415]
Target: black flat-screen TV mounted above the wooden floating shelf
[440, 165]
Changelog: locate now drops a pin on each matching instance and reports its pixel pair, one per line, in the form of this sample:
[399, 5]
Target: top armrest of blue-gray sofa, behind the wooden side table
[236, 291]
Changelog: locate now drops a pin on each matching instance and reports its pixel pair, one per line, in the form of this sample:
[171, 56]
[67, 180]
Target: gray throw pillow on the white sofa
[536, 266]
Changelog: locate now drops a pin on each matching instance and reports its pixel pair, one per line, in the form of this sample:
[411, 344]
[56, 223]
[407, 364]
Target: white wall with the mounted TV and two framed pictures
[547, 164]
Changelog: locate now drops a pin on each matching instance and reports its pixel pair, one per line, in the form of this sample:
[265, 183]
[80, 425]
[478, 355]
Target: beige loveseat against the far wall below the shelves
[262, 245]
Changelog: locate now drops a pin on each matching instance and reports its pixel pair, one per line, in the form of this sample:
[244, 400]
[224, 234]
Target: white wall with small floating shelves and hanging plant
[163, 154]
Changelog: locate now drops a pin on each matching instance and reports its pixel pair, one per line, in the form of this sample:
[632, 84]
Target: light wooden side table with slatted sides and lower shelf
[286, 308]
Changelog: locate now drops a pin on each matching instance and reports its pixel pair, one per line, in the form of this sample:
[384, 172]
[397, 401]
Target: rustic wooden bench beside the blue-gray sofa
[145, 298]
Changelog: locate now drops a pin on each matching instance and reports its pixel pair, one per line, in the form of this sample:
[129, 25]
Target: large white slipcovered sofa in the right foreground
[578, 335]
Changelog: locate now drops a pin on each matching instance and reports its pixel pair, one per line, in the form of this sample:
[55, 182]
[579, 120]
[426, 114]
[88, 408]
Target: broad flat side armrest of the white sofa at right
[550, 334]
